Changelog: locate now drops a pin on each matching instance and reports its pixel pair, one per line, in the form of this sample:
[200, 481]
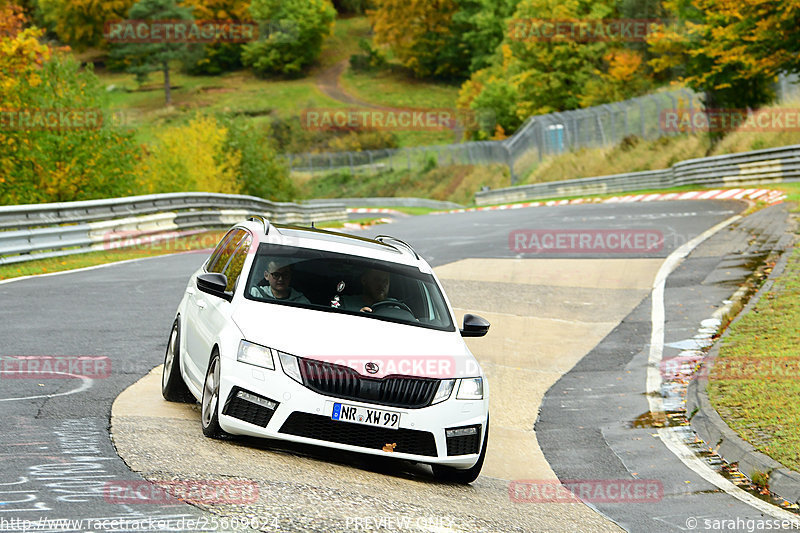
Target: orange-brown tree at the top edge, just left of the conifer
[81, 23]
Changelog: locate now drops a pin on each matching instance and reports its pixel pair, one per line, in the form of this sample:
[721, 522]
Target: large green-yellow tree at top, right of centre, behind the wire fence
[536, 73]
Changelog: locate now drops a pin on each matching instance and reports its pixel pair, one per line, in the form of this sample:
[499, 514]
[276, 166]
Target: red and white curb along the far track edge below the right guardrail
[769, 196]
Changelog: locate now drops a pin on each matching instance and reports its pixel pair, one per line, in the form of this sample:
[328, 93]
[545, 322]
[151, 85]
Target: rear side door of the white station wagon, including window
[196, 347]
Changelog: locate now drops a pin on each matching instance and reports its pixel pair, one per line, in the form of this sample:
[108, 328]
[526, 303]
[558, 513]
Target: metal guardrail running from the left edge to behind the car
[38, 231]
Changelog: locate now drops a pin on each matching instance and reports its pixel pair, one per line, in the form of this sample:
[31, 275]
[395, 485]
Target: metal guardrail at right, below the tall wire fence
[772, 165]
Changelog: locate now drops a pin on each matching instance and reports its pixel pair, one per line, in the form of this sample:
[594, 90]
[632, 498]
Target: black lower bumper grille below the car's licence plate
[323, 428]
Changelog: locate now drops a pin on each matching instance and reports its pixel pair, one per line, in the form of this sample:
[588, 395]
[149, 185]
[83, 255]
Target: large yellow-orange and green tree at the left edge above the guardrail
[43, 163]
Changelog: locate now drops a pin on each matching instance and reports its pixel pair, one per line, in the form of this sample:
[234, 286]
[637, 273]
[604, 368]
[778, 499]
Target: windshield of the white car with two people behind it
[341, 283]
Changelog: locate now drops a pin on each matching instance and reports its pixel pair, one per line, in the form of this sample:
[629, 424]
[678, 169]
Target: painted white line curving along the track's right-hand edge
[669, 436]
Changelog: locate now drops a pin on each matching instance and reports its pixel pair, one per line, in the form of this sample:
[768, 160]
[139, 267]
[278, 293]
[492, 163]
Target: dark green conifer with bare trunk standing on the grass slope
[142, 59]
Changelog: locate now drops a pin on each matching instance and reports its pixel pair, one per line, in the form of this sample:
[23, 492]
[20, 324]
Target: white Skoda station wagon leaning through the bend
[323, 338]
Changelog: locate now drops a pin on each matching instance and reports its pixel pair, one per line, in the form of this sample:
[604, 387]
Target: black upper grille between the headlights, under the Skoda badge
[344, 382]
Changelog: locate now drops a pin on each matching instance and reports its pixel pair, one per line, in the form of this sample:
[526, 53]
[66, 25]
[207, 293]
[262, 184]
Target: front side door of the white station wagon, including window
[217, 313]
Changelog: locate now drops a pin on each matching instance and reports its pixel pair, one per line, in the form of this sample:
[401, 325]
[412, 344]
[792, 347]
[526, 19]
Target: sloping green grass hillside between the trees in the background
[243, 92]
